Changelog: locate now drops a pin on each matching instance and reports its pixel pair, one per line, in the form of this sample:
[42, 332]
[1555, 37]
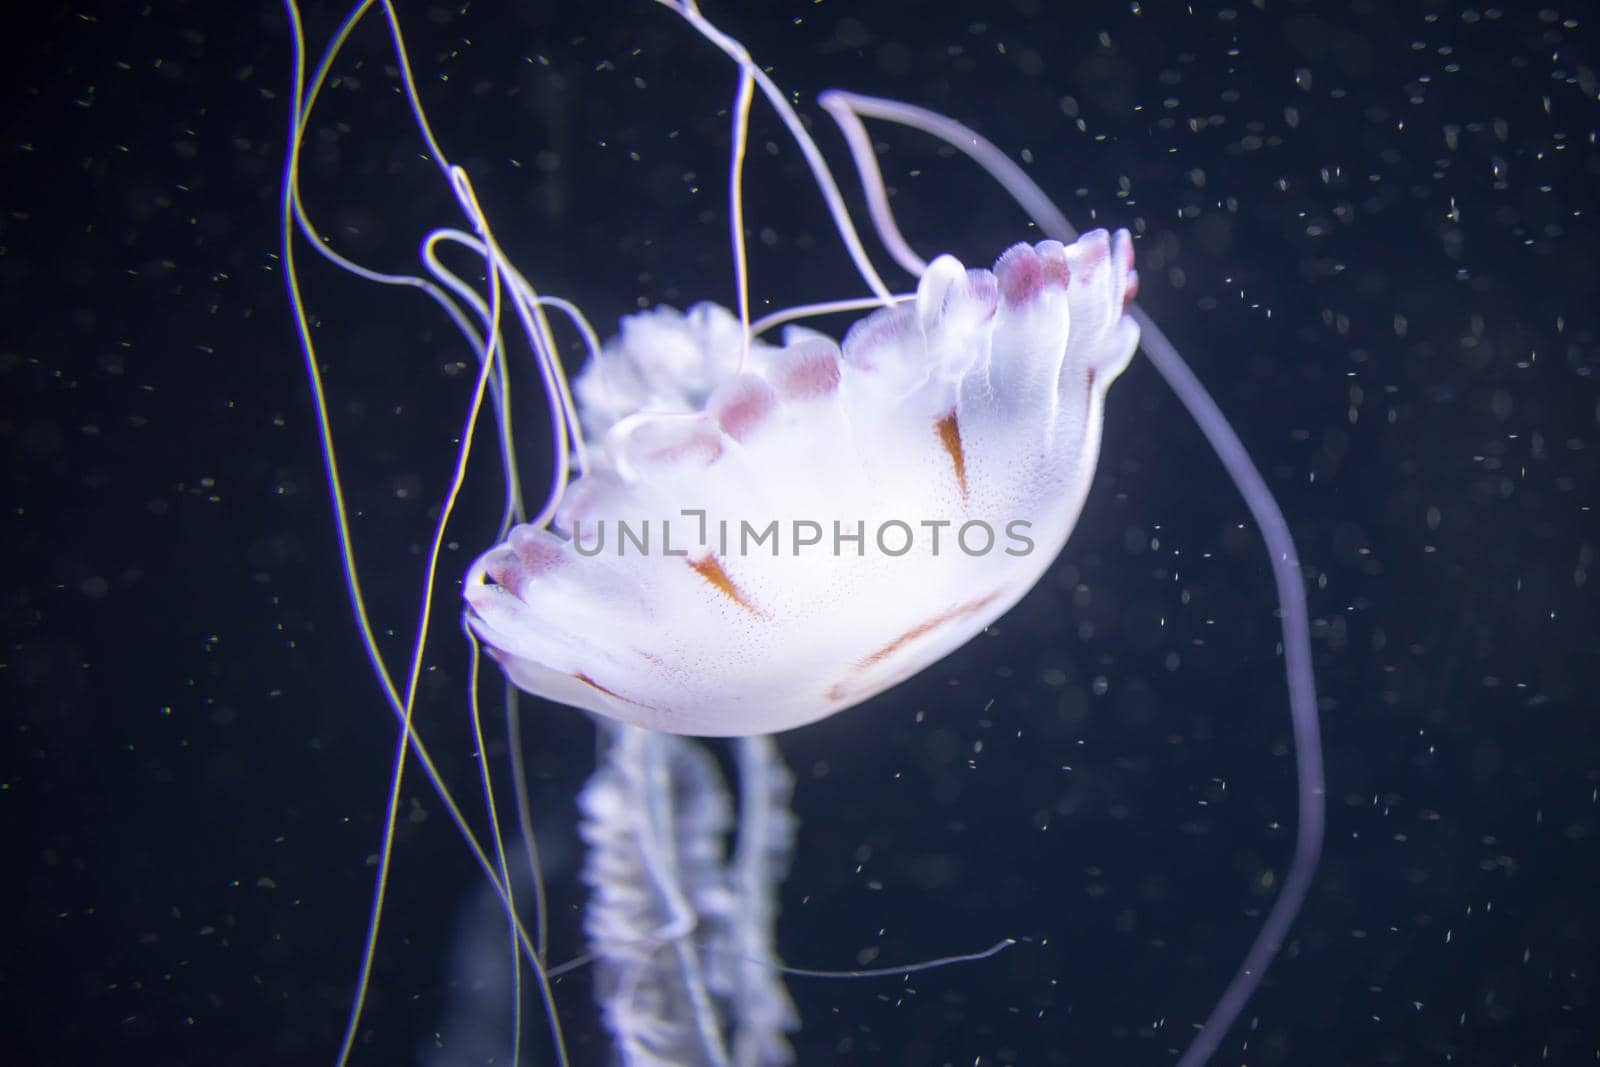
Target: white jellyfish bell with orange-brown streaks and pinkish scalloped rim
[825, 522]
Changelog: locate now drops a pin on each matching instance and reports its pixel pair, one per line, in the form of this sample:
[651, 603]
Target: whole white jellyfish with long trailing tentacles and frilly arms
[745, 537]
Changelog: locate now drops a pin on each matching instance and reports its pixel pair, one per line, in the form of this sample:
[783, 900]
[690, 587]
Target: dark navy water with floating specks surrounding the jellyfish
[1372, 228]
